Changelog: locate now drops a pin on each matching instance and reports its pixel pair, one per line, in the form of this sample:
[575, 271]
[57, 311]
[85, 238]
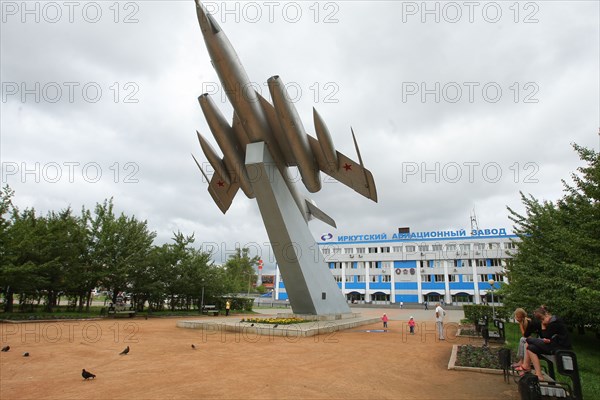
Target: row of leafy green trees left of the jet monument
[64, 254]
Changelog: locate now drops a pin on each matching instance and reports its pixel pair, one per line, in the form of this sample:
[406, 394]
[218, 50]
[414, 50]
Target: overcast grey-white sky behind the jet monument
[457, 106]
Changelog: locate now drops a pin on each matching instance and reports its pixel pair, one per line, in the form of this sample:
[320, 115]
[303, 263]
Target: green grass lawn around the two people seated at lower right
[587, 350]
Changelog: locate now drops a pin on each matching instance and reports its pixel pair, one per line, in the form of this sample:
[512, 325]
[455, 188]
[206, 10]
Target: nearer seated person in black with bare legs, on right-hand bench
[553, 336]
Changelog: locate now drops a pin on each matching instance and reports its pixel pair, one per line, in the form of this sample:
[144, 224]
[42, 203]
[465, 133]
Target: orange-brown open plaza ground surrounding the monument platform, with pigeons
[358, 363]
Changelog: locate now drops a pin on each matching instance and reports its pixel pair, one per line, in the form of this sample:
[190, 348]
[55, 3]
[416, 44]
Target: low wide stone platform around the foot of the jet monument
[316, 325]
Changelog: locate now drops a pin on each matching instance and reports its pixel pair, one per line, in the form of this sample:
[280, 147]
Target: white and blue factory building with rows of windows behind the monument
[446, 266]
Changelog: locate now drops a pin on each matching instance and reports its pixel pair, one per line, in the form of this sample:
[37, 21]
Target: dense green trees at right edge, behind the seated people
[558, 259]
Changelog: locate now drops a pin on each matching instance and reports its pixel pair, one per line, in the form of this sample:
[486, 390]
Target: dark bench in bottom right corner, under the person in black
[566, 364]
